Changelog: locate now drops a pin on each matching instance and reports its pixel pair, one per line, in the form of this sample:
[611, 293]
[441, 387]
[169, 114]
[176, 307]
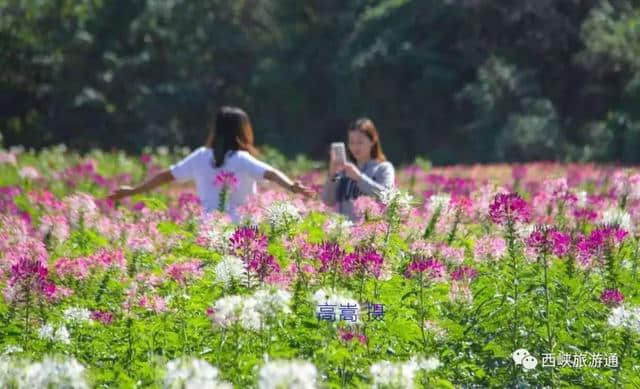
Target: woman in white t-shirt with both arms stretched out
[229, 148]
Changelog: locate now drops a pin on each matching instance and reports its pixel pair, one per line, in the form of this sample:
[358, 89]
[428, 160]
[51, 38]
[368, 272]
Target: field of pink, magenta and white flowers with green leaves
[465, 277]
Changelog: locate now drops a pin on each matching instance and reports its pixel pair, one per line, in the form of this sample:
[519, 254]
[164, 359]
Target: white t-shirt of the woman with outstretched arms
[199, 166]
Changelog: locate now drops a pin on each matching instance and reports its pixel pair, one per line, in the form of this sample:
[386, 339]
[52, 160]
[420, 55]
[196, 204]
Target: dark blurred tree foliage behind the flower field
[453, 80]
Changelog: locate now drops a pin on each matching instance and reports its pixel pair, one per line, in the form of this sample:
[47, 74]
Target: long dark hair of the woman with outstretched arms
[232, 132]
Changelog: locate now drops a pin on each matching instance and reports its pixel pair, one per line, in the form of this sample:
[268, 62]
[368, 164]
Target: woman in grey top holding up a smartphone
[366, 172]
